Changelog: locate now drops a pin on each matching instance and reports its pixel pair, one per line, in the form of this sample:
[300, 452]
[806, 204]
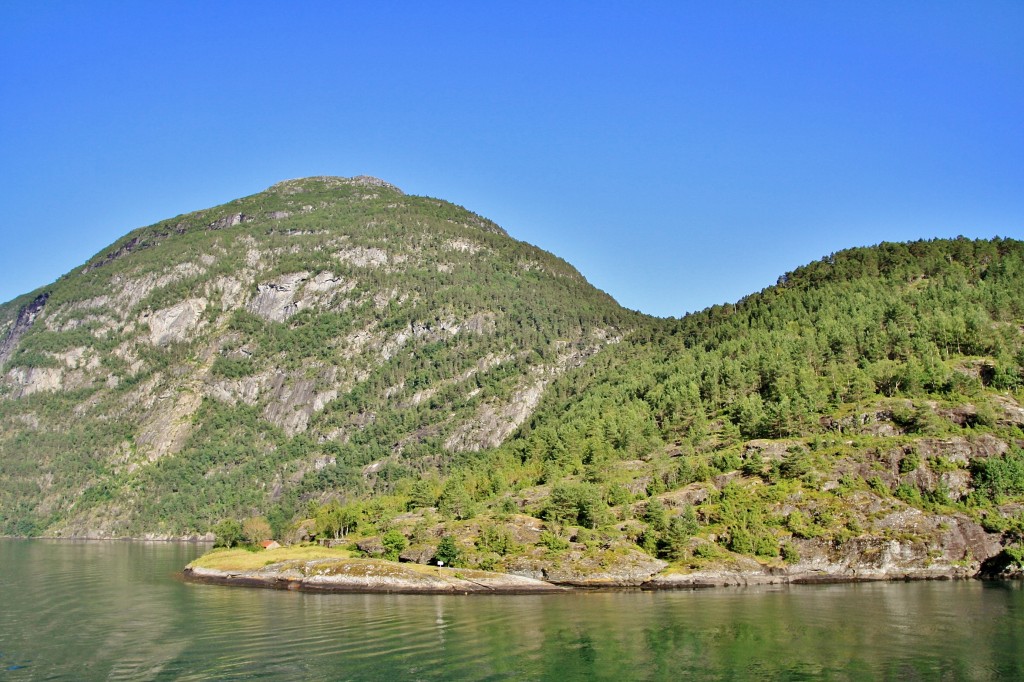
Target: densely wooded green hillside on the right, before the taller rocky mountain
[860, 419]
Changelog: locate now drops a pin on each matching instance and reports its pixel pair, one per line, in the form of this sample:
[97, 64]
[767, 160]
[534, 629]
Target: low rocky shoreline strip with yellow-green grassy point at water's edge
[323, 570]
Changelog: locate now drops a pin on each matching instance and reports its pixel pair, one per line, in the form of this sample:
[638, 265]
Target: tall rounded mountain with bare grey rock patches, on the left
[328, 333]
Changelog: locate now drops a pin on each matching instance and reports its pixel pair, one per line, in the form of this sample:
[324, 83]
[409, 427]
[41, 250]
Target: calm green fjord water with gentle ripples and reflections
[95, 611]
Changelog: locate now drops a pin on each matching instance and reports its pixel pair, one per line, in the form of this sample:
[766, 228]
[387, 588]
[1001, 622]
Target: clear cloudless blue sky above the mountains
[679, 154]
